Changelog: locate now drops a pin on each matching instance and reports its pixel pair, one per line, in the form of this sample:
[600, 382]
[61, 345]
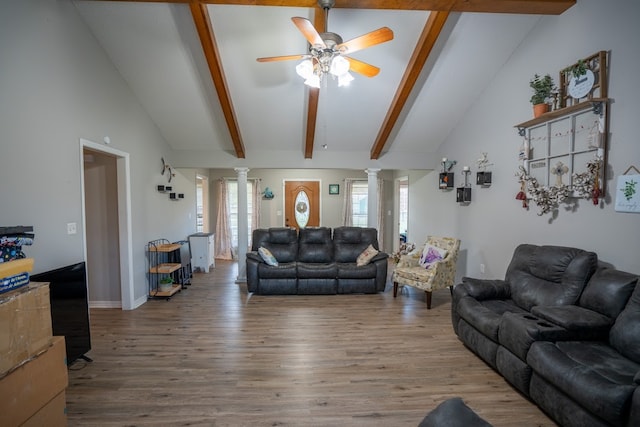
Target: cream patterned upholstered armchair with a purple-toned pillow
[430, 267]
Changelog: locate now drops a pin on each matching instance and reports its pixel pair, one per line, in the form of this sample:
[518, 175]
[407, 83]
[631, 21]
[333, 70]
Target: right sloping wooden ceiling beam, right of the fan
[427, 40]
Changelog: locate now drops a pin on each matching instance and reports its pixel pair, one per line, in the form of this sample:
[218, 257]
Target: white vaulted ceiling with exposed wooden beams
[192, 65]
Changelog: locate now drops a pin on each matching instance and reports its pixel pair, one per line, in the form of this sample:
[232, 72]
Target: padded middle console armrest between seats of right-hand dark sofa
[582, 323]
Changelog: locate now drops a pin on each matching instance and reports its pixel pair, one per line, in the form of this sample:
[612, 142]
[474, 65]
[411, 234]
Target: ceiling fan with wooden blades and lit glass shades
[327, 51]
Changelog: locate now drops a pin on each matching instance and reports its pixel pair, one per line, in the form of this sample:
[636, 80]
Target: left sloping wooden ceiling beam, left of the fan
[200, 15]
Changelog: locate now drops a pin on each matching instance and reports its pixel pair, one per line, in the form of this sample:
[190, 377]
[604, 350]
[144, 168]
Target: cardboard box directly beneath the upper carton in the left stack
[33, 385]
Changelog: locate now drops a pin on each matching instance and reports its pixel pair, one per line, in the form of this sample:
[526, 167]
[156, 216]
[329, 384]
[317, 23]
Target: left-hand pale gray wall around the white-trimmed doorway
[57, 86]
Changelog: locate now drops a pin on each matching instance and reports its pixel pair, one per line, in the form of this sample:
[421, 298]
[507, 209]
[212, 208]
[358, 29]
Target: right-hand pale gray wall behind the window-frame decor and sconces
[494, 223]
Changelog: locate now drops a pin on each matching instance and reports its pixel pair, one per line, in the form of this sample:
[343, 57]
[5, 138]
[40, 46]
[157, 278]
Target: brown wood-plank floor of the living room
[215, 356]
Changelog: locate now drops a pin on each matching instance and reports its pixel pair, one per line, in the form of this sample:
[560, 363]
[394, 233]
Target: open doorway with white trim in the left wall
[106, 219]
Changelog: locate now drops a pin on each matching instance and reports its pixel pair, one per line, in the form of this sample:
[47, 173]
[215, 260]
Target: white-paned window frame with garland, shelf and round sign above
[563, 151]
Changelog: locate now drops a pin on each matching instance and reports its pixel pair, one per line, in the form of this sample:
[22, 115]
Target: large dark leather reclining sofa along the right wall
[562, 330]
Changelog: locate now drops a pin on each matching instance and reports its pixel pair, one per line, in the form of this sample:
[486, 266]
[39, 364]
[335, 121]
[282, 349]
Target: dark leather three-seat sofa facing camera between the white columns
[315, 260]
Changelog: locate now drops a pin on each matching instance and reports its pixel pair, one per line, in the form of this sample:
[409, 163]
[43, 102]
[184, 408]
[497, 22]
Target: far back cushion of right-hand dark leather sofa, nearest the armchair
[548, 275]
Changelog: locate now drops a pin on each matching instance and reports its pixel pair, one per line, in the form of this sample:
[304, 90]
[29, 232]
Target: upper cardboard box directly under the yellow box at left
[25, 316]
